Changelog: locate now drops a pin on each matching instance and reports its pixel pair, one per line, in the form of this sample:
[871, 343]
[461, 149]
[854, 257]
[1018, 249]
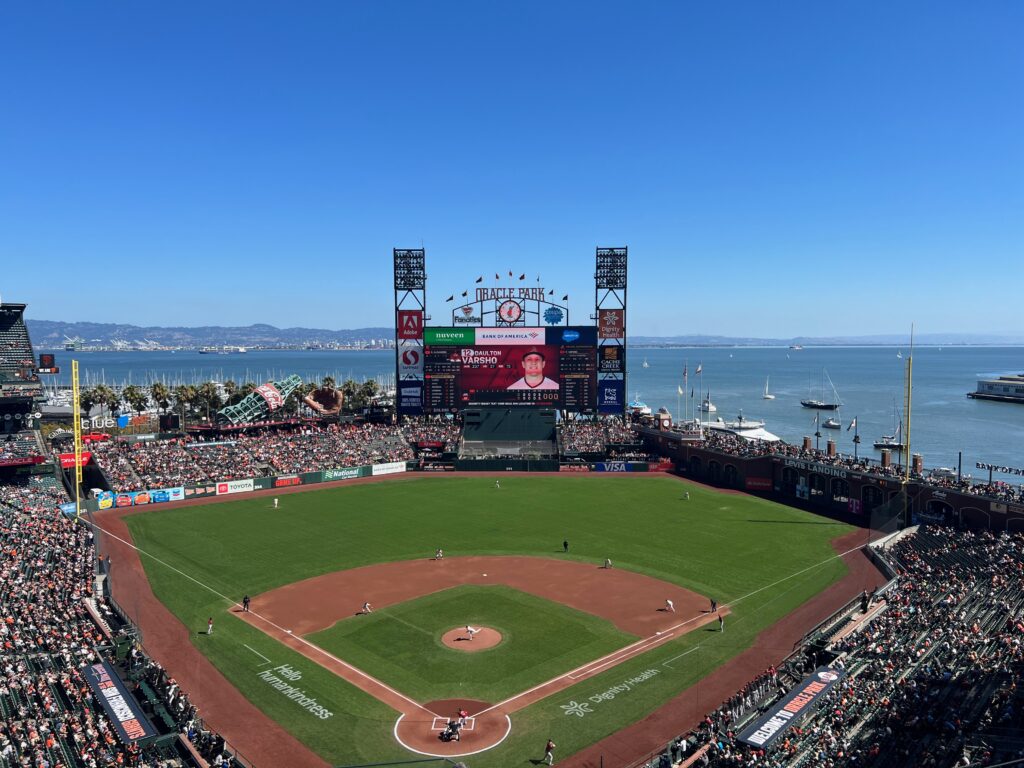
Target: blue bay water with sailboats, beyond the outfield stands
[946, 423]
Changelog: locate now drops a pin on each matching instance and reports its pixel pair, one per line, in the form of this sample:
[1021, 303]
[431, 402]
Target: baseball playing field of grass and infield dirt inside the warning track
[582, 651]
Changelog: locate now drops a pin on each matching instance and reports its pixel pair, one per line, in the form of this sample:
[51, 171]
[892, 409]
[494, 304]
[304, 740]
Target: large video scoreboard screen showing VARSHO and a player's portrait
[548, 367]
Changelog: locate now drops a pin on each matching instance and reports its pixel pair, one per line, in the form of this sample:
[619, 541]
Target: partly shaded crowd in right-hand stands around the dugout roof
[933, 671]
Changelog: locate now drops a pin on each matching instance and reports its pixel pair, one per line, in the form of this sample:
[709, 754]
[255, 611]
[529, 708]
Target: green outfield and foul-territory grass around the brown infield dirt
[722, 545]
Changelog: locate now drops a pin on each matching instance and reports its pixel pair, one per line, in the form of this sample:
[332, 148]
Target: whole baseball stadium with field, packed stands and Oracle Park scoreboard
[501, 564]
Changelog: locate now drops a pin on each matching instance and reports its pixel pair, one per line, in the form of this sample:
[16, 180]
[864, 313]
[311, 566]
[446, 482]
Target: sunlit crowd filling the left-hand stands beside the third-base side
[49, 715]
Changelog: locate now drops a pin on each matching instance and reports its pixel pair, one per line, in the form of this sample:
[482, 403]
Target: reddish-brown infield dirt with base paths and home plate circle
[635, 604]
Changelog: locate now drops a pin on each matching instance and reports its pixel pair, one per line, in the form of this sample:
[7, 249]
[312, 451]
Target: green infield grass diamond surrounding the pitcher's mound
[402, 645]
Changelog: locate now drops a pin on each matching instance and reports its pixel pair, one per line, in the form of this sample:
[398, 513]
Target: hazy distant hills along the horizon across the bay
[52, 334]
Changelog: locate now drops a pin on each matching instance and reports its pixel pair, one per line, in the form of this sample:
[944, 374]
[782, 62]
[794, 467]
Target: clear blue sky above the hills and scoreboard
[777, 168]
